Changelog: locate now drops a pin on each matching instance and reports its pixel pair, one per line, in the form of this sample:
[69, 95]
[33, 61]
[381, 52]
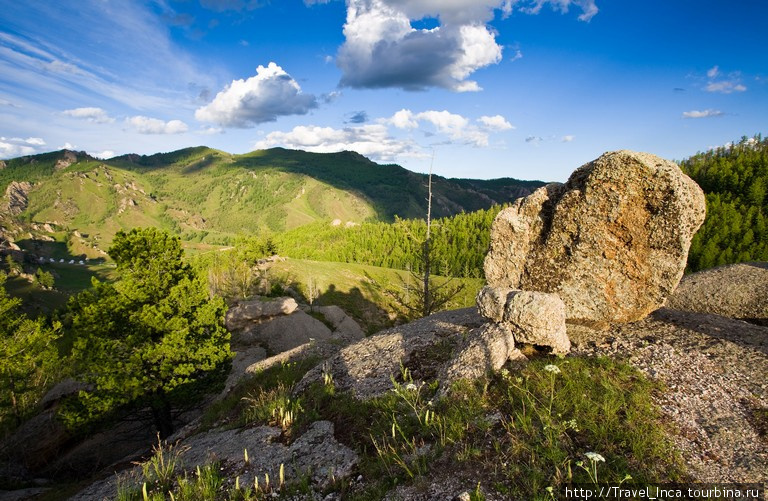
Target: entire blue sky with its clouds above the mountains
[495, 88]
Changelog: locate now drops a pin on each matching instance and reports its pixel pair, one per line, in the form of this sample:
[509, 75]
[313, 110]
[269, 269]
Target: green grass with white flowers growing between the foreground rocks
[555, 422]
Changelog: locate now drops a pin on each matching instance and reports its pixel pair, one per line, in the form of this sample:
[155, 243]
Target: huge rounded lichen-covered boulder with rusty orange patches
[612, 242]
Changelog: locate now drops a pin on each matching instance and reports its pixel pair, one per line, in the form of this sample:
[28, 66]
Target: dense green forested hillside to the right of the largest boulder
[735, 180]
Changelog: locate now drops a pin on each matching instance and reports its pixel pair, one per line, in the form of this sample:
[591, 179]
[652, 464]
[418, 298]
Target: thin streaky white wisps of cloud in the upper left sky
[78, 65]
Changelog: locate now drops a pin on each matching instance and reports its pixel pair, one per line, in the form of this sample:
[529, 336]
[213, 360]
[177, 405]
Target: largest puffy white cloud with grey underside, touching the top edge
[383, 49]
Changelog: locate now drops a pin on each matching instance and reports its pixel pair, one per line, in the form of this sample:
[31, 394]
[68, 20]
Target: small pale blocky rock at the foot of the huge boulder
[537, 318]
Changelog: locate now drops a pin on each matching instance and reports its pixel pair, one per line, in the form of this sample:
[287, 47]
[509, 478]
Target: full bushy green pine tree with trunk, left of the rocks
[149, 334]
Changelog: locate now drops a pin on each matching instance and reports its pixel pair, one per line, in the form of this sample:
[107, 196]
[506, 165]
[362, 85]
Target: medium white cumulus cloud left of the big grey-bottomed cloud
[262, 98]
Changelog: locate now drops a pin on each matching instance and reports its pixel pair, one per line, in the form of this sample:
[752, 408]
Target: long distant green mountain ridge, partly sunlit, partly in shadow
[211, 196]
